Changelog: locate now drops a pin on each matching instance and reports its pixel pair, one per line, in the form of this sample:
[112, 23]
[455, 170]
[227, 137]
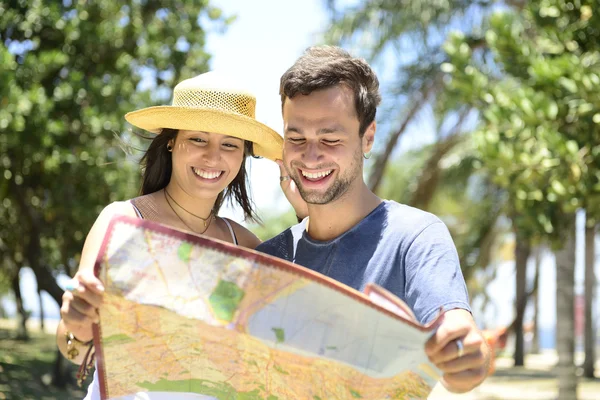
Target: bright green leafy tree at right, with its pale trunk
[538, 134]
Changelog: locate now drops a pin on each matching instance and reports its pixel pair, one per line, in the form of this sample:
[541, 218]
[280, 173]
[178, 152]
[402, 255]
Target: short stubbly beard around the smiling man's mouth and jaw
[337, 189]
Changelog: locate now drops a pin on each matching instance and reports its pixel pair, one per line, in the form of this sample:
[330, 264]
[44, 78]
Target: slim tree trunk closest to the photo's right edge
[590, 285]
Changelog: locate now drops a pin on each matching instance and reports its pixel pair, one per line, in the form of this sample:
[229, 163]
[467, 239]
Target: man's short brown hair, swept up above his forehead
[322, 67]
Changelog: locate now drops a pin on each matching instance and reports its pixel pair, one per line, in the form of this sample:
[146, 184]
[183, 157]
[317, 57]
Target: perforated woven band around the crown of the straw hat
[230, 102]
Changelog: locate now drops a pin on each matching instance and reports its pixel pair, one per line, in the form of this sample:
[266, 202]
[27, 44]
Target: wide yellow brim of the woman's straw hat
[267, 142]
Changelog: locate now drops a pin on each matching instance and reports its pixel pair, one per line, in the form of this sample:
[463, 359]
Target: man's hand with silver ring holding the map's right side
[460, 351]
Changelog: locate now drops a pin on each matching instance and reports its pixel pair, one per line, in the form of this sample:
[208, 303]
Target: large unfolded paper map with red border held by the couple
[188, 317]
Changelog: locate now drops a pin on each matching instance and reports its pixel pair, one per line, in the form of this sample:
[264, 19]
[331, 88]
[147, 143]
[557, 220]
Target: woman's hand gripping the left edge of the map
[80, 305]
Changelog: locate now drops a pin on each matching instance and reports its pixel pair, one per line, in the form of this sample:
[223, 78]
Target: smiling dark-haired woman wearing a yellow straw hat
[194, 164]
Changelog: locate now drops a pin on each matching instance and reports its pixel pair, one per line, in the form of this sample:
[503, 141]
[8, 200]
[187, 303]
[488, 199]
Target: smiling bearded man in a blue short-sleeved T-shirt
[329, 101]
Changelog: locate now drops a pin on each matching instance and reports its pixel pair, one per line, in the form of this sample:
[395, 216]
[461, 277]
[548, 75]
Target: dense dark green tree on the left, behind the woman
[71, 70]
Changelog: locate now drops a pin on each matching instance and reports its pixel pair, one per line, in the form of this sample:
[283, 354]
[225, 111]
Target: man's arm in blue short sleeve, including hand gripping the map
[434, 281]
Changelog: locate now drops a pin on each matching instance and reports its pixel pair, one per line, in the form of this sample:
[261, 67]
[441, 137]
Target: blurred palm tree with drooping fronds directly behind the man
[404, 40]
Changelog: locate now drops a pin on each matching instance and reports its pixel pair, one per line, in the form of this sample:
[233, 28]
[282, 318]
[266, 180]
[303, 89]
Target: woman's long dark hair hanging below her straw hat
[157, 169]
